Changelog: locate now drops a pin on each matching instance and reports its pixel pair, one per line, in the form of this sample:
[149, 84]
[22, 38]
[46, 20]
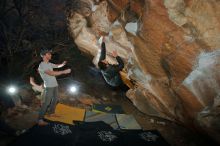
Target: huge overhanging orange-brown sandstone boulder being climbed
[170, 49]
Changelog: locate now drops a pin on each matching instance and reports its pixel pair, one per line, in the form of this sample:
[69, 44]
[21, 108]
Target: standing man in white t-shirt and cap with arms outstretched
[50, 95]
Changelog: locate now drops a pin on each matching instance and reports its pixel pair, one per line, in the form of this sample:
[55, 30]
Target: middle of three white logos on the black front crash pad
[106, 136]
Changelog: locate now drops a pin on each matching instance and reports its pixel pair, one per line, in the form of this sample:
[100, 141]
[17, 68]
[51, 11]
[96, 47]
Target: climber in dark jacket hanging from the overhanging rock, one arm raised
[111, 72]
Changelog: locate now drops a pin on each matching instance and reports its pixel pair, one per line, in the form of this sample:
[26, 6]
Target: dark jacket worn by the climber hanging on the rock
[111, 72]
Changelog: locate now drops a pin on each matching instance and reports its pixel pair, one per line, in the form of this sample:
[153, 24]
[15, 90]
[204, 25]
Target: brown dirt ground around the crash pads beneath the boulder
[23, 116]
